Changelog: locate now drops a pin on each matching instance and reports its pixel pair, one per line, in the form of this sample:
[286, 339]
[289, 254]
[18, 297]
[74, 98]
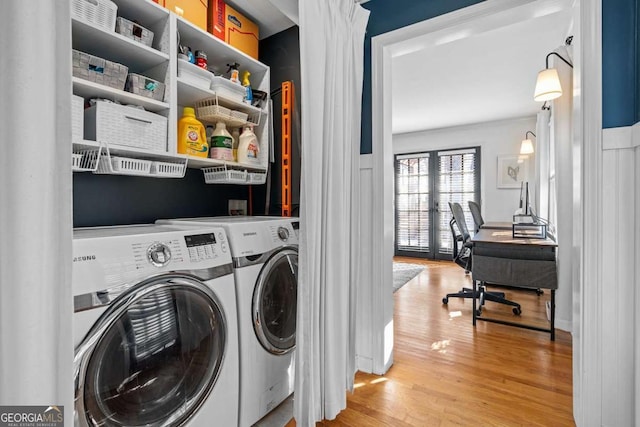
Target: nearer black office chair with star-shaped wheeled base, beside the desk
[463, 257]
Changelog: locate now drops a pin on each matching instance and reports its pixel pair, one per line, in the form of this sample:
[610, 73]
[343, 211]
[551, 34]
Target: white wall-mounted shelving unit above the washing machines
[159, 62]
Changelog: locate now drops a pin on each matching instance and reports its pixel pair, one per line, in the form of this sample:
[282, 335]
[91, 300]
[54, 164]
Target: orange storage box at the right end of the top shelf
[233, 27]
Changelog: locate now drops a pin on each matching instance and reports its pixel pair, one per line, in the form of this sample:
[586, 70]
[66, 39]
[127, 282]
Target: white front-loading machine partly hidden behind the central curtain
[265, 259]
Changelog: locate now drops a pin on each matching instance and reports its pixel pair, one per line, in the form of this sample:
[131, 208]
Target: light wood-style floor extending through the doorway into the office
[446, 373]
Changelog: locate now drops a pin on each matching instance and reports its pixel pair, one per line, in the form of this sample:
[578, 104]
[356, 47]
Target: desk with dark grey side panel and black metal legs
[524, 263]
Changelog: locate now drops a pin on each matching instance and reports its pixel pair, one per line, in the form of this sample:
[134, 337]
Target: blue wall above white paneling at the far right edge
[620, 74]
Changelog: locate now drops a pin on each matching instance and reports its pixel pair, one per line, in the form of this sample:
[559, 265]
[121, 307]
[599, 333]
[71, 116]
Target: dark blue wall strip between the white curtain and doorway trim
[388, 16]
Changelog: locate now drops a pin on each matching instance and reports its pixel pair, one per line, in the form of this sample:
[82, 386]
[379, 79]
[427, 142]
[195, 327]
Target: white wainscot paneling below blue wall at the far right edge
[619, 299]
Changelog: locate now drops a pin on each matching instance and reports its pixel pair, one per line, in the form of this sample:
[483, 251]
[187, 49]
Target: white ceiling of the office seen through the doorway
[487, 76]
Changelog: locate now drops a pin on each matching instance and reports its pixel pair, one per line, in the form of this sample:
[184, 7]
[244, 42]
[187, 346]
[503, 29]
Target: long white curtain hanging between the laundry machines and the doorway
[332, 59]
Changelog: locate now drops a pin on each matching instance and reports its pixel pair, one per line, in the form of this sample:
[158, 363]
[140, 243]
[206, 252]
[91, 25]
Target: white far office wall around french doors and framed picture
[494, 138]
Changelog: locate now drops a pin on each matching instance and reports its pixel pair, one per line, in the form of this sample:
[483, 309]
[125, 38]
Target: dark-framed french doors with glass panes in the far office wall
[425, 184]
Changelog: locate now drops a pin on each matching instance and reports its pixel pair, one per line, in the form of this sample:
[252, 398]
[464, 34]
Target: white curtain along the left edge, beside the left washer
[36, 347]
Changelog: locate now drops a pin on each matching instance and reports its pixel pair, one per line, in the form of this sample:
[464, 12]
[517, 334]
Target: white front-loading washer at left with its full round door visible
[155, 327]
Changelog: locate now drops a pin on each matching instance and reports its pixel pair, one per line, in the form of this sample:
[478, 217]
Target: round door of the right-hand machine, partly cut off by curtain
[275, 302]
